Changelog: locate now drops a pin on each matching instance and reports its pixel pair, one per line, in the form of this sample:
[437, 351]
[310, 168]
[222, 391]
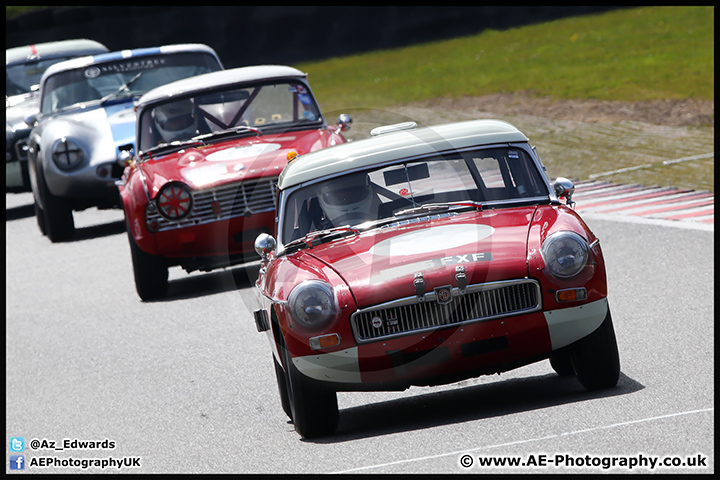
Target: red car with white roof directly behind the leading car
[202, 184]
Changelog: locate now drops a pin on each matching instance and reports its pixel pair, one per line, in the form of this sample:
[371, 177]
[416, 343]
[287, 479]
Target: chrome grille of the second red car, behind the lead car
[228, 201]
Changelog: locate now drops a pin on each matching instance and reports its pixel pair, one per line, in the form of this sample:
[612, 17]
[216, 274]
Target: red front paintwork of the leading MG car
[349, 264]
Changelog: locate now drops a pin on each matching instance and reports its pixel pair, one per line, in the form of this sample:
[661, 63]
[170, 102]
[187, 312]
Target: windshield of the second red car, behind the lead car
[284, 105]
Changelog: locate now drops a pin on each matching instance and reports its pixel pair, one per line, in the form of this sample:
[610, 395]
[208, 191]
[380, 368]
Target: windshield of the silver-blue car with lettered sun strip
[96, 81]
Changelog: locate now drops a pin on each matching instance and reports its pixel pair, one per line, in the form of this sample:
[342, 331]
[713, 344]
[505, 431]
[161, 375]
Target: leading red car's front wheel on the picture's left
[314, 408]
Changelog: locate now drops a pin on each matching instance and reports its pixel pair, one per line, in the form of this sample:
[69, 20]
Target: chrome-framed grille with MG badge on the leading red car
[478, 303]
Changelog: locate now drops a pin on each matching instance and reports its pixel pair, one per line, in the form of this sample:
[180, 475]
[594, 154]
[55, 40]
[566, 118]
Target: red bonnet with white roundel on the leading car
[380, 265]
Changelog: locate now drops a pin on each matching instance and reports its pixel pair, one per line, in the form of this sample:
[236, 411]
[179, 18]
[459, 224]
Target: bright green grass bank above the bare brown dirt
[638, 54]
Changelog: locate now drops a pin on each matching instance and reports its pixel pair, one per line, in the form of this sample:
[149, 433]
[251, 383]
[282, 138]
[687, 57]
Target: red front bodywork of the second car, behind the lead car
[214, 238]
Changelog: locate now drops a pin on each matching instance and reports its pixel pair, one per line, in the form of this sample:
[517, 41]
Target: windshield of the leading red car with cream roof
[495, 176]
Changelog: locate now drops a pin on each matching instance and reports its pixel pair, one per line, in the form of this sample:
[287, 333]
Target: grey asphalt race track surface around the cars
[186, 385]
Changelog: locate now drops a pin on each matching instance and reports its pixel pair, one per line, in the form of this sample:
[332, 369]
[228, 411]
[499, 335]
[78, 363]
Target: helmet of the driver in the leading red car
[347, 200]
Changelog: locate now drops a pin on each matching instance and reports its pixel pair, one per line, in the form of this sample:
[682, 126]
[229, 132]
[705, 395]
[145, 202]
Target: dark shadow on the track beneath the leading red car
[467, 404]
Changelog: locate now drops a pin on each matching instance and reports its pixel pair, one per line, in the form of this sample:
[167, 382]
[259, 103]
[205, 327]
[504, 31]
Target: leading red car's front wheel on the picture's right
[595, 358]
